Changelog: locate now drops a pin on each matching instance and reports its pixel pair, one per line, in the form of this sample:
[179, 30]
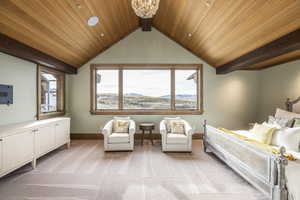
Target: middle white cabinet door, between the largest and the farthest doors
[45, 139]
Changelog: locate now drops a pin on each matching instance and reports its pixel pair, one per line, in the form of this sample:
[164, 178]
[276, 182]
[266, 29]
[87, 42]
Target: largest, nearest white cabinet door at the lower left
[17, 149]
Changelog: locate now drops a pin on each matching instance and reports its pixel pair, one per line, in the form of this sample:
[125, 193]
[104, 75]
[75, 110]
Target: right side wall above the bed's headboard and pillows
[277, 84]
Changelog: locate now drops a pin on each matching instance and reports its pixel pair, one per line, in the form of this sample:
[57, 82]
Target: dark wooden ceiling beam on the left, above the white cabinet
[15, 48]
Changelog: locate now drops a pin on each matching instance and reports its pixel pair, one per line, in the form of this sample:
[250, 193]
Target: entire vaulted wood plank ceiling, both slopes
[218, 31]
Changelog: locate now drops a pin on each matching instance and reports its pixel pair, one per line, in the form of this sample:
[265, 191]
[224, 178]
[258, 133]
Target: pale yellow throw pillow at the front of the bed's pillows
[262, 133]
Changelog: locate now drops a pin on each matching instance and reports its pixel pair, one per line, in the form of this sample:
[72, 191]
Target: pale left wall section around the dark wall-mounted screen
[22, 75]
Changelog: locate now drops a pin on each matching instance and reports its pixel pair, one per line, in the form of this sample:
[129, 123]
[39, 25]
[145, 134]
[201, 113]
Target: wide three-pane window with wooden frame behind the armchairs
[150, 89]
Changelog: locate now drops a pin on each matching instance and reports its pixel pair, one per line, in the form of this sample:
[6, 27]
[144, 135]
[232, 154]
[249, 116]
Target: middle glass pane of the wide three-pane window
[147, 89]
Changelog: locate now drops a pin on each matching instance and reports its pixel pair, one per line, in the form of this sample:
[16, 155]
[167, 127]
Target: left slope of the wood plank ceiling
[59, 27]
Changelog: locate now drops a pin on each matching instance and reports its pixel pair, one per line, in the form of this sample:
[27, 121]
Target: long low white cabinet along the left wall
[25, 142]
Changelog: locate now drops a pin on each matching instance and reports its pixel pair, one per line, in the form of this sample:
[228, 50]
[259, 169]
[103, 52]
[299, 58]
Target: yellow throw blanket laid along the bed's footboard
[269, 148]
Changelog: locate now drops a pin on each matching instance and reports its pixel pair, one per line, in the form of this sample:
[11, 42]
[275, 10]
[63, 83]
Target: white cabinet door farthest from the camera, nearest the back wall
[62, 132]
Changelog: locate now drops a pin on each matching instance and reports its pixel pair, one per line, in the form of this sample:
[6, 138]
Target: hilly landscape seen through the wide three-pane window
[139, 101]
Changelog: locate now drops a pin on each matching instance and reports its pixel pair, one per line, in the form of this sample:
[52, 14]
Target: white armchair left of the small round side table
[118, 141]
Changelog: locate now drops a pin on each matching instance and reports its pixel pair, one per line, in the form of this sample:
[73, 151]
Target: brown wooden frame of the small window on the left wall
[60, 92]
